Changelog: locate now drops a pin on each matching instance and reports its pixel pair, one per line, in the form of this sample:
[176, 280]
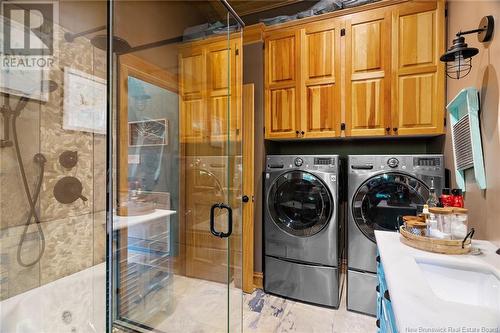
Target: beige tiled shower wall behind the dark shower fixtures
[75, 233]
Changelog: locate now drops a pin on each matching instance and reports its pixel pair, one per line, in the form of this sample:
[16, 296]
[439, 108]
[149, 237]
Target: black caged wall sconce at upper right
[458, 58]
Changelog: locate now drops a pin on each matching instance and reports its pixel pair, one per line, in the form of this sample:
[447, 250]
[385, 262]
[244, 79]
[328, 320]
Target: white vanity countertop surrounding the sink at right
[416, 307]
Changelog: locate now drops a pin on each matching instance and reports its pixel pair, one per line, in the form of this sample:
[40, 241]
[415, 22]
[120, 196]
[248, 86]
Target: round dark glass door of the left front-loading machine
[300, 203]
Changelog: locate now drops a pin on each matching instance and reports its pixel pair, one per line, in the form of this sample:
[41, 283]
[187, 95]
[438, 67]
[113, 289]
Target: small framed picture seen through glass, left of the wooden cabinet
[151, 132]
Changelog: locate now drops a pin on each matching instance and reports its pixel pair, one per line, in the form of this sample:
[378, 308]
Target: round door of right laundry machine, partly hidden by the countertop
[382, 201]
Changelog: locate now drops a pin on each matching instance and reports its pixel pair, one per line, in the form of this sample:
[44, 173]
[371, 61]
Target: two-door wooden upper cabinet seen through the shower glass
[211, 83]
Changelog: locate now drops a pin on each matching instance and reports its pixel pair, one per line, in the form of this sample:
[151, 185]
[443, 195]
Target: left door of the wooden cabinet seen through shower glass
[192, 91]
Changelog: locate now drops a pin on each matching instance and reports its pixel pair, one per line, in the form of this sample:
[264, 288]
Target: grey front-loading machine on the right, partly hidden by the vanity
[381, 189]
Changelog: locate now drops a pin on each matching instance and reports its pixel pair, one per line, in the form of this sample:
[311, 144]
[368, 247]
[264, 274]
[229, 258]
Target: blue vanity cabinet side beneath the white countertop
[386, 322]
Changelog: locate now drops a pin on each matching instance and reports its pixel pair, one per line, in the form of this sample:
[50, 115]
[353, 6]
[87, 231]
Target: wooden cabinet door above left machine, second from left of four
[320, 84]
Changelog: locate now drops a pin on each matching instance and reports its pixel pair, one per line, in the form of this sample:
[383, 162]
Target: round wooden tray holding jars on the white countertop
[444, 246]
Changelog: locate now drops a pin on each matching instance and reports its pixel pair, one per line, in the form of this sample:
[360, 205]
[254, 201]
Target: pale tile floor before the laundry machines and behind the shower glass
[200, 307]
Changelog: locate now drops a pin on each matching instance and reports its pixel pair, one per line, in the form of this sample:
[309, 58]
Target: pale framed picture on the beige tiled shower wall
[84, 102]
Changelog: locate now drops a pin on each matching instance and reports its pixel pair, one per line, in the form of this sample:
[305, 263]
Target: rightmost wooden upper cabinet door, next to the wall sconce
[418, 82]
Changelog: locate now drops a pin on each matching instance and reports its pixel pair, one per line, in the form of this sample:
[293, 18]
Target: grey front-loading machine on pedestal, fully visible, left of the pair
[301, 243]
